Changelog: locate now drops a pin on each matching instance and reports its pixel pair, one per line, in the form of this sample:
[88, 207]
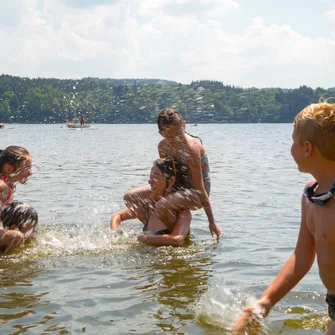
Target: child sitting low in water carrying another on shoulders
[166, 178]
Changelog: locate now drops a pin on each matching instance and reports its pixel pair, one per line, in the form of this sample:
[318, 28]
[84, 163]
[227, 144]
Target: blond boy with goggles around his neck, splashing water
[313, 150]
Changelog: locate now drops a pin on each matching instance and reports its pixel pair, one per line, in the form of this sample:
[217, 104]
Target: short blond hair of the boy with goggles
[316, 124]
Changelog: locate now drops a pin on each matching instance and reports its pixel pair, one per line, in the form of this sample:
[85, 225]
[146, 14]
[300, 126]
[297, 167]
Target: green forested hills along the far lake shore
[43, 100]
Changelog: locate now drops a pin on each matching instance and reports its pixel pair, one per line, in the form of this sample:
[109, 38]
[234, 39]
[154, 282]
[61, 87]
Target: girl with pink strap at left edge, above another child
[15, 167]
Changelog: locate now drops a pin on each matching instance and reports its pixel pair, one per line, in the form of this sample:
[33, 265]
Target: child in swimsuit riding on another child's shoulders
[188, 152]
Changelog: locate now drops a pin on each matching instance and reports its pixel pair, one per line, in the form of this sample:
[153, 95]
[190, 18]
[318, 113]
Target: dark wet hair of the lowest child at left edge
[18, 214]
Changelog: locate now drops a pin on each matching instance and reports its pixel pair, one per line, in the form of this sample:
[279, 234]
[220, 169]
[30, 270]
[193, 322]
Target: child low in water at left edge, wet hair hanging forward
[19, 222]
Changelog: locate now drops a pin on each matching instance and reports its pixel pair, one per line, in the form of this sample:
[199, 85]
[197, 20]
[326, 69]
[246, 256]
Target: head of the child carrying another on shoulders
[167, 174]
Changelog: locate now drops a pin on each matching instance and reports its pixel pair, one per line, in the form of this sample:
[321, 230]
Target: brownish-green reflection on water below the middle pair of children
[175, 282]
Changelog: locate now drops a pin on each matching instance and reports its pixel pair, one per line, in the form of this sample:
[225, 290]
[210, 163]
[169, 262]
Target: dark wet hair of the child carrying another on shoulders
[171, 167]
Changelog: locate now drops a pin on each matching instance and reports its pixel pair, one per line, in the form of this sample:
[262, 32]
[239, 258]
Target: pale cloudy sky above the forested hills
[246, 43]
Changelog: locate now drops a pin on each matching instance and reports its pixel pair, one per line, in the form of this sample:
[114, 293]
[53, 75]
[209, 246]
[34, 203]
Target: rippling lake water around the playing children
[82, 278]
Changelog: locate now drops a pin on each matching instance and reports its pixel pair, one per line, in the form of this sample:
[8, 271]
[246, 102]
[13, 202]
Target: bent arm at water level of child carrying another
[177, 237]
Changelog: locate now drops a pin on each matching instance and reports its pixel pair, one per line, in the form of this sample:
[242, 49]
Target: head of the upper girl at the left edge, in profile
[16, 163]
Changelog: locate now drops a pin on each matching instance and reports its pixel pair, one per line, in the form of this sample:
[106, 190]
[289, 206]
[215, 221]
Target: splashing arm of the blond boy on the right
[292, 272]
